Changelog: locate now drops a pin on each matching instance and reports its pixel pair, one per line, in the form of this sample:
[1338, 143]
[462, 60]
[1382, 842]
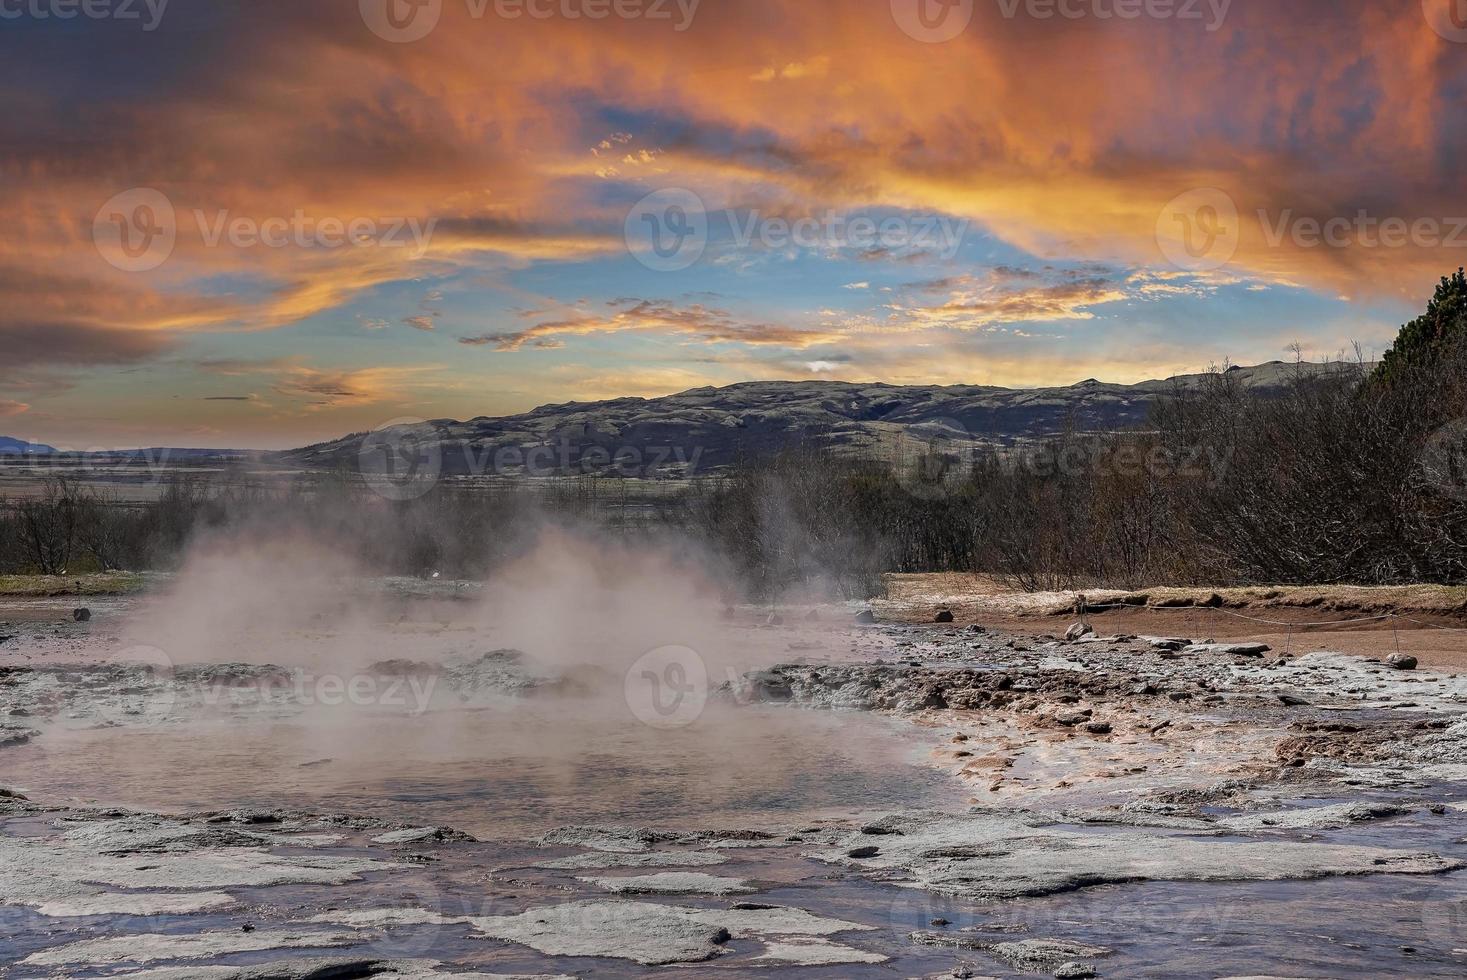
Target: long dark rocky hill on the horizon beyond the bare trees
[711, 428]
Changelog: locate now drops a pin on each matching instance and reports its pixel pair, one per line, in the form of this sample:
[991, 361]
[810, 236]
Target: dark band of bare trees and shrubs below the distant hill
[1355, 473]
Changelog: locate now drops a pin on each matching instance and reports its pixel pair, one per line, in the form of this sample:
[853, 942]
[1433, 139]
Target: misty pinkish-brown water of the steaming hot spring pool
[504, 771]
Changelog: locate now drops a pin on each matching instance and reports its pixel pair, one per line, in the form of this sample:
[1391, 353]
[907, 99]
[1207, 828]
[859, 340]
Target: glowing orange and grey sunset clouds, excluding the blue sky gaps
[1066, 140]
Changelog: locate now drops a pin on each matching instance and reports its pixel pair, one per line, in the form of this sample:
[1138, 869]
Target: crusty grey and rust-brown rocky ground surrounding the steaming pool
[1126, 806]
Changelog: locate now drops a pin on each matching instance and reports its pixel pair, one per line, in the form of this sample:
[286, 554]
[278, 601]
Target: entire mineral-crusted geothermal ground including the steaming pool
[925, 802]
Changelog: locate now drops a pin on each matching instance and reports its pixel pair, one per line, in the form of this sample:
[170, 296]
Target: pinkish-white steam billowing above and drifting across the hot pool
[568, 749]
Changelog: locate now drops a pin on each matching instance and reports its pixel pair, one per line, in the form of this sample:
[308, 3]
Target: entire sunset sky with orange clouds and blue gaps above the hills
[265, 224]
